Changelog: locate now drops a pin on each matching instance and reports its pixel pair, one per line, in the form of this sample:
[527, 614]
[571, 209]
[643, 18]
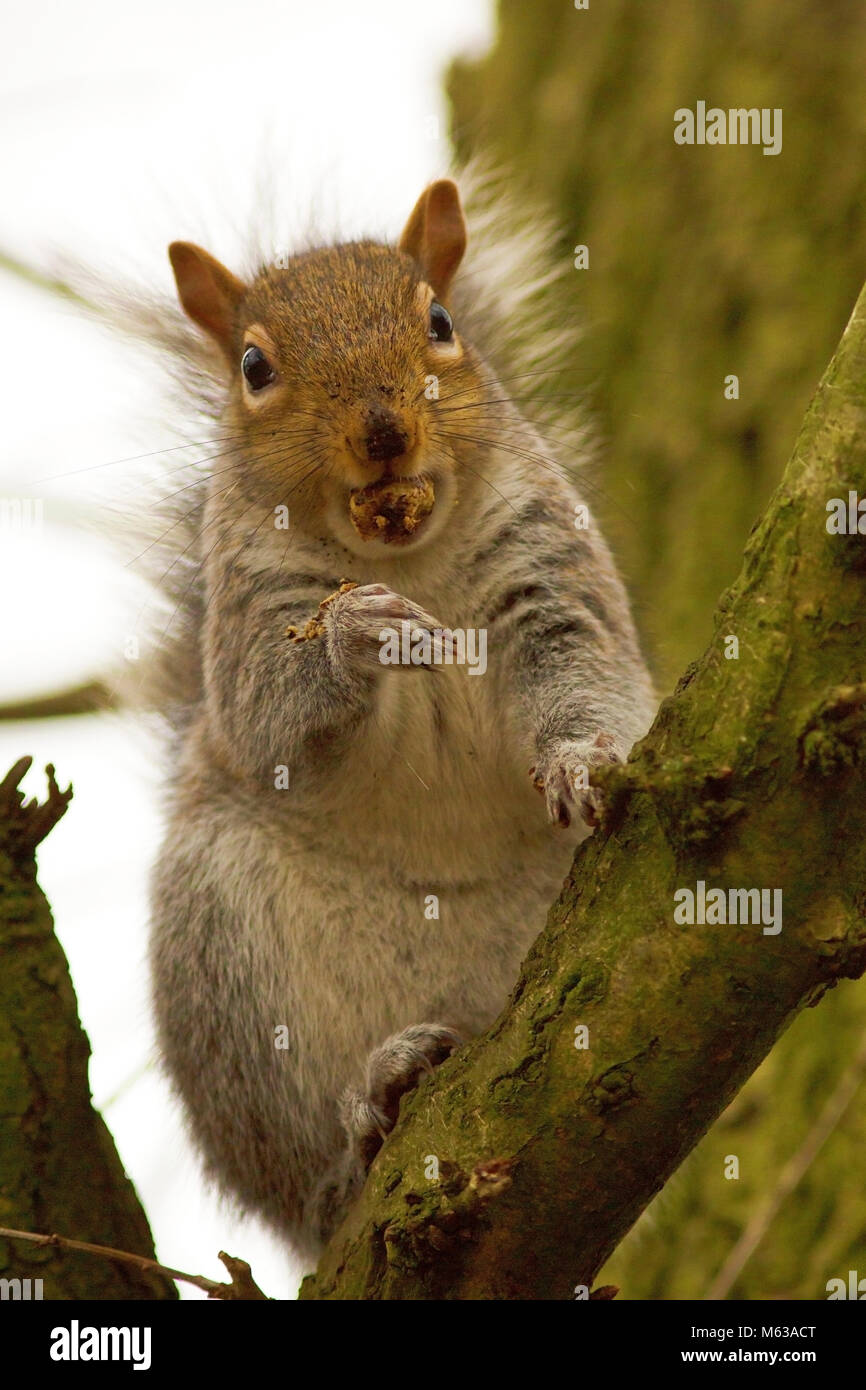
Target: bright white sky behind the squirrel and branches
[123, 127]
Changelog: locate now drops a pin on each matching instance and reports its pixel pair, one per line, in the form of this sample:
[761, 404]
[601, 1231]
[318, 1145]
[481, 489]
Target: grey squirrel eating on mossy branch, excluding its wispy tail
[358, 853]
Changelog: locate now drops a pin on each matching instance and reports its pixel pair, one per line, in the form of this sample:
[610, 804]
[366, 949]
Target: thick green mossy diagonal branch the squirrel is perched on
[751, 778]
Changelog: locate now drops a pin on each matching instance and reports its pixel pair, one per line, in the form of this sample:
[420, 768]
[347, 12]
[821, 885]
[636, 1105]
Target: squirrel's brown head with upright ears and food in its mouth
[340, 365]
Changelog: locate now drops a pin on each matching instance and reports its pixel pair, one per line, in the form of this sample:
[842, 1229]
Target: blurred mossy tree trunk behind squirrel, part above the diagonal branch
[704, 261]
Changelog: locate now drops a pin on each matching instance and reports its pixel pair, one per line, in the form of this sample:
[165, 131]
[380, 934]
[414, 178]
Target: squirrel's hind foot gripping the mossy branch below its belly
[393, 1070]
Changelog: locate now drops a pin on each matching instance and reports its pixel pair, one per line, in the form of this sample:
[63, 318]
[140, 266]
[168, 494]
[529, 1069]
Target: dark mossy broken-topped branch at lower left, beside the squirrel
[59, 1168]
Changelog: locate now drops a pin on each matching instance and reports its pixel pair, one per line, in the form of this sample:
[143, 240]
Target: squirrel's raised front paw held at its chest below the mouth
[357, 619]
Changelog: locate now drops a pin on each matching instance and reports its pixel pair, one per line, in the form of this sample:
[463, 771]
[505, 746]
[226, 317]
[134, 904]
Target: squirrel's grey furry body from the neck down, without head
[307, 907]
